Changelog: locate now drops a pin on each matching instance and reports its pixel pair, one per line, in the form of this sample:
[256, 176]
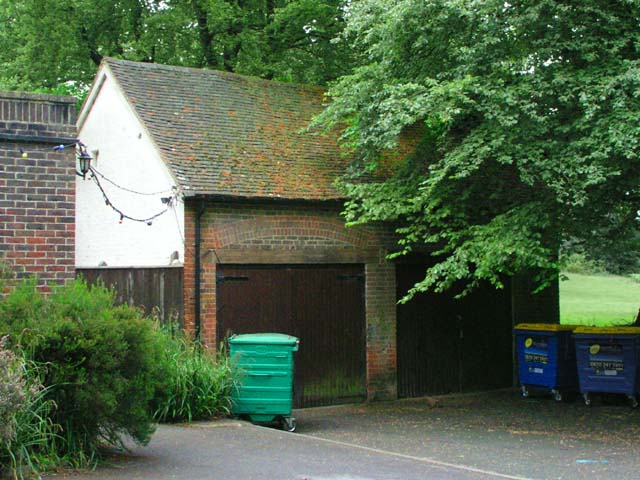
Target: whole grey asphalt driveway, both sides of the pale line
[483, 436]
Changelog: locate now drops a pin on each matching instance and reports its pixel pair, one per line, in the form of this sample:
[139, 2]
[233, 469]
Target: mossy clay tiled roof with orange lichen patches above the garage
[227, 134]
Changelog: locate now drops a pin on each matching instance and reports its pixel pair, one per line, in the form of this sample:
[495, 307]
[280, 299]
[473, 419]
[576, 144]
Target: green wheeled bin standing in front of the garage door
[264, 368]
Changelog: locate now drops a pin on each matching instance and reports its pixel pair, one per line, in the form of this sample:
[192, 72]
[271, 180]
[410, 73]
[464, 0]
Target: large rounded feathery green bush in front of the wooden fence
[99, 363]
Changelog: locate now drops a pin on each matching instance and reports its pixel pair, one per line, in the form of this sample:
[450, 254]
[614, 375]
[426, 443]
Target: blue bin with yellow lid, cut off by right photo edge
[608, 361]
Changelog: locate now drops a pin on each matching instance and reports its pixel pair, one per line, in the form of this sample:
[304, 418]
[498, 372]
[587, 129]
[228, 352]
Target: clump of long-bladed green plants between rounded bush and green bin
[198, 385]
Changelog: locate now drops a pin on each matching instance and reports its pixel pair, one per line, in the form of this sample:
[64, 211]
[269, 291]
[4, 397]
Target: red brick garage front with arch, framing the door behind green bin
[284, 233]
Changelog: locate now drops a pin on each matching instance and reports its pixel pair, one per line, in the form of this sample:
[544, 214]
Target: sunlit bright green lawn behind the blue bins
[598, 300]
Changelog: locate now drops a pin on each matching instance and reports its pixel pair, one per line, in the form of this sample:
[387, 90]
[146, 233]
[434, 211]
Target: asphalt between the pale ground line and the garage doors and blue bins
[496, 432]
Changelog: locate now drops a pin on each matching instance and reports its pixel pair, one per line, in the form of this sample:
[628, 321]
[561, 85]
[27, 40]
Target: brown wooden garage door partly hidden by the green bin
[321, 305]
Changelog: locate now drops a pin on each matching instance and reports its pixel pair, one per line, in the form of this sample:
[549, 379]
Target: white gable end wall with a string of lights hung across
[129, 158]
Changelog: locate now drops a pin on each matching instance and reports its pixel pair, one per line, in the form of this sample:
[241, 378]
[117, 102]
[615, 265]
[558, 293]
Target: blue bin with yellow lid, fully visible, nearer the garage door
[546, 359]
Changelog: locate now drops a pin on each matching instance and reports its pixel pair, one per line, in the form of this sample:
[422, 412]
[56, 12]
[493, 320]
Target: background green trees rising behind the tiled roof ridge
[50, 44]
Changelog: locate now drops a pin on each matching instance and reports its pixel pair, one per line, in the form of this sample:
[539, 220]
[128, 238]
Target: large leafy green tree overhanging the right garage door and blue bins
[530, 114]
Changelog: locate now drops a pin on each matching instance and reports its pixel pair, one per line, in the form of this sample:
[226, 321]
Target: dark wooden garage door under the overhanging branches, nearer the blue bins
[447, 345]
